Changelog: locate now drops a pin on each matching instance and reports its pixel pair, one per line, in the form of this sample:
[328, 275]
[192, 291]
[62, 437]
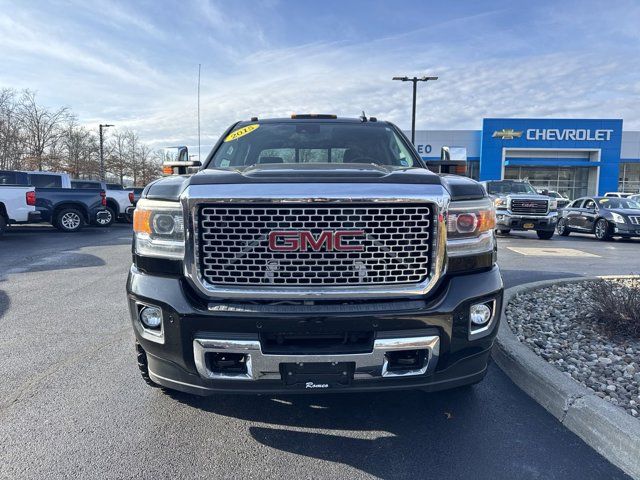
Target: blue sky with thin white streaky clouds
[135, 64]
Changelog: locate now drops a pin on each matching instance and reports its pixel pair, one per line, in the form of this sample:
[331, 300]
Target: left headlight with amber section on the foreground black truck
[158, 229]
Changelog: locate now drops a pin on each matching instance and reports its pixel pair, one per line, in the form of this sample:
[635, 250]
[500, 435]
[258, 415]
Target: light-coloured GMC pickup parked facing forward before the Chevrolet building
[520, 207]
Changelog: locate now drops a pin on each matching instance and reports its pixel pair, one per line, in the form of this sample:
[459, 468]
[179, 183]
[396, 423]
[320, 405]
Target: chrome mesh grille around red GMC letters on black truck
[233, 244]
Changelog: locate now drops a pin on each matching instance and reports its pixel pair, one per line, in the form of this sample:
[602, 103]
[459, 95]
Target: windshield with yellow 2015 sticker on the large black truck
[312, 142]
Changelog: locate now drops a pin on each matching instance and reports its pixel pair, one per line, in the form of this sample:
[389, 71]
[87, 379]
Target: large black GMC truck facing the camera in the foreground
[310, 254]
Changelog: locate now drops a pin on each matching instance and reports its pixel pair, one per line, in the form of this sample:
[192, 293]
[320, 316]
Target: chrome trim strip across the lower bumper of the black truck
[261, 366]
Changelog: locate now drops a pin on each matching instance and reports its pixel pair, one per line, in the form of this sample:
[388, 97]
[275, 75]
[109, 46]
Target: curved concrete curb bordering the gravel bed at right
[607, 429]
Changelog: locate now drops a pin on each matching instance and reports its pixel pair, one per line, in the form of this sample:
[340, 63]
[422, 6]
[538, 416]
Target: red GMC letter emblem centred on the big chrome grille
[304, 241]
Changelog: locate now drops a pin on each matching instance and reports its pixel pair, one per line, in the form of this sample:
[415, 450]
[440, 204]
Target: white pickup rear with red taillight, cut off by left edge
[17, 203]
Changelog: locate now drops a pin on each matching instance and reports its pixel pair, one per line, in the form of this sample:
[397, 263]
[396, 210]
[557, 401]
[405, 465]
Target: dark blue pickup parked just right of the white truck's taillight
[67, 209]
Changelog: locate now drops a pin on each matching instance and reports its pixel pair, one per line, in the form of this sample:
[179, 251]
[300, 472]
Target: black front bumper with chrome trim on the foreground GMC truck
[192, 329]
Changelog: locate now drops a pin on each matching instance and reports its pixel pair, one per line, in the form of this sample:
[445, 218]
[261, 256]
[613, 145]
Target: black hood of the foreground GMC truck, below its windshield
[170, 188]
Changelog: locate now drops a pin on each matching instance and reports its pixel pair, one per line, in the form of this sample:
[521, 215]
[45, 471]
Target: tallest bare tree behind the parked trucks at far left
[40, 126]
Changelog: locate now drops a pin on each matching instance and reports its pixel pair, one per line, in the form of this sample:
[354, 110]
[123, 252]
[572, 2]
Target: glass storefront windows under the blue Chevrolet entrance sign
[572, 182]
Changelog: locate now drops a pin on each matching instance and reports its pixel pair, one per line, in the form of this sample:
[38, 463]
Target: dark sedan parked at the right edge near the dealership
[605, 217]
